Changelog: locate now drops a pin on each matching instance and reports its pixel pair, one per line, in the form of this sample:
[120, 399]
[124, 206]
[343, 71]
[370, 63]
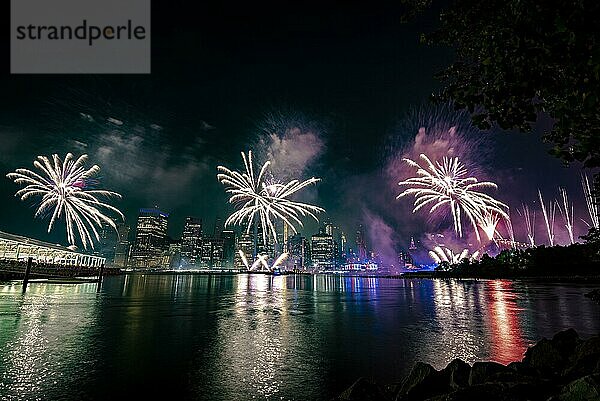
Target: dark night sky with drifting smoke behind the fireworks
[348, 75]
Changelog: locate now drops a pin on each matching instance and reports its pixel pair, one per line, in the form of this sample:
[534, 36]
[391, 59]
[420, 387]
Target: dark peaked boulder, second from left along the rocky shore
[423, 382]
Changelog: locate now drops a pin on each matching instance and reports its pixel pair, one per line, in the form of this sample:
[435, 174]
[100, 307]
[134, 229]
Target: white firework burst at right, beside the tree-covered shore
[447, 183]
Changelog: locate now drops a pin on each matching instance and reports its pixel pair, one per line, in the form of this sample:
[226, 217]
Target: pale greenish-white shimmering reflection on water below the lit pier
[39, 333]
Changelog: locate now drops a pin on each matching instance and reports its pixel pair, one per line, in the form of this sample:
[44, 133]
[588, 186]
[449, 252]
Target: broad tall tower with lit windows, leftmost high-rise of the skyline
[150, 239]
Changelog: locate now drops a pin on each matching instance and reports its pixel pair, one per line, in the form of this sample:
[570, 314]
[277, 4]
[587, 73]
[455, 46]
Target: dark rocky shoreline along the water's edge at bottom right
[565, 368]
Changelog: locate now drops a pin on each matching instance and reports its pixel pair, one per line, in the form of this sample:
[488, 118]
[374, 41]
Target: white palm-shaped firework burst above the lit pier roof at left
[64, 188]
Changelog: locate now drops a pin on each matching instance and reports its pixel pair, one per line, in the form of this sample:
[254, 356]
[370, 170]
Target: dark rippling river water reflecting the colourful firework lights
[245, 337]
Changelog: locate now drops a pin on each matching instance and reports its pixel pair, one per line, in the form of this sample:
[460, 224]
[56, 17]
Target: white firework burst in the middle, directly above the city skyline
[262, 201]
